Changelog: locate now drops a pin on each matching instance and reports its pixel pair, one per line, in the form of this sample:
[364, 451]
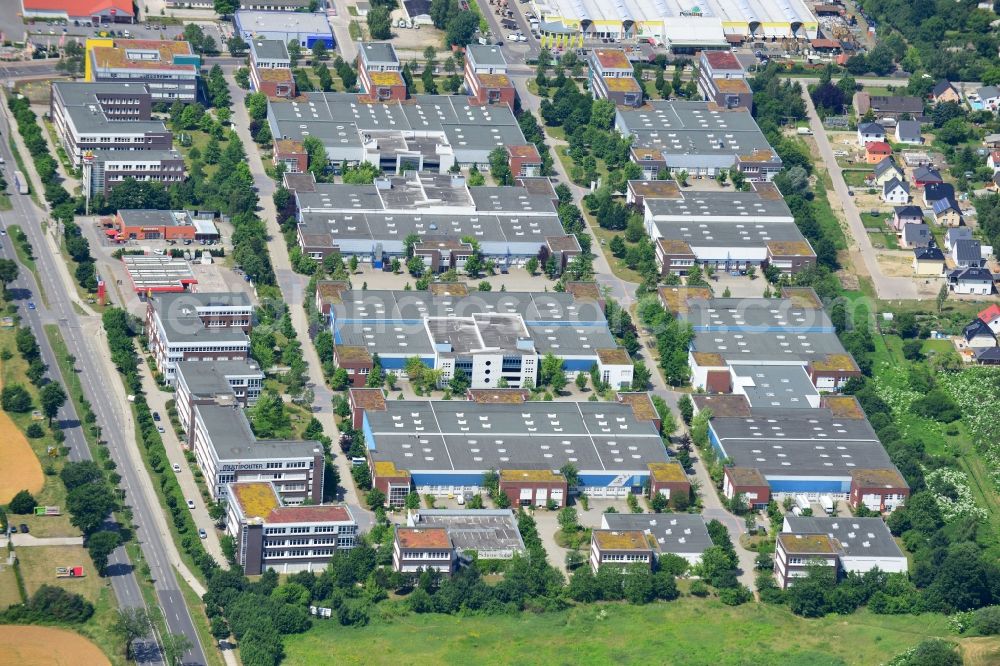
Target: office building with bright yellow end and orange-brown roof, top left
[170, 68]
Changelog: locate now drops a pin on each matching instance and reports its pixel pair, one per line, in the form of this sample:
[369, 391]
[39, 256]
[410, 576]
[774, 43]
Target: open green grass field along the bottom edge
[688, 631]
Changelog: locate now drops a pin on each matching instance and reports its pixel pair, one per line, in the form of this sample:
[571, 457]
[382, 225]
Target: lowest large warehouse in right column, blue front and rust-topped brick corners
[829, 451]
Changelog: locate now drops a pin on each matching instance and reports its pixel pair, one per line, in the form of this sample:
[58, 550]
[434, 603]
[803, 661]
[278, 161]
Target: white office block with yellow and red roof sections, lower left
[286, 539]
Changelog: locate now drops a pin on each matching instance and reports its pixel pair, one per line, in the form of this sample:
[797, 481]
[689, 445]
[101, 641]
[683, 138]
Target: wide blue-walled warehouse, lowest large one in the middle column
[446, 446]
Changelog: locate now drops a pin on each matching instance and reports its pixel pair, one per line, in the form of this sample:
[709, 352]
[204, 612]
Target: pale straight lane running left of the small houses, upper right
[887, 288]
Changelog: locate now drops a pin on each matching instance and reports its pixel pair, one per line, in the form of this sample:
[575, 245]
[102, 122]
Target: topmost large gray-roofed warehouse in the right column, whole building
[701, 138]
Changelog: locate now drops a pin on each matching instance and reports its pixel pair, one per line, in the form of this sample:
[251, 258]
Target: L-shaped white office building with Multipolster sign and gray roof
[228, 452]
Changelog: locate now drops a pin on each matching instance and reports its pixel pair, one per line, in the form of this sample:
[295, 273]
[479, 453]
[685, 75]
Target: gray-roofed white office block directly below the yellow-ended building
[90, 117]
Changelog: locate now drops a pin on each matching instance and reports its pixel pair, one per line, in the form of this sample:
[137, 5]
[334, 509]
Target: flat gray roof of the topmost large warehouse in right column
[692, 128]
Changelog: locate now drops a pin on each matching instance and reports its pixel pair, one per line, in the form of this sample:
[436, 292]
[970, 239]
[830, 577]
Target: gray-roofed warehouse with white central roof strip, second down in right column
[730, 231]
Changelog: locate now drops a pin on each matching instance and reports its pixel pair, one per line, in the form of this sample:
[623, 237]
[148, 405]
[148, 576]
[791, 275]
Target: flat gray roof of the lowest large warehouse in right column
[801, 442]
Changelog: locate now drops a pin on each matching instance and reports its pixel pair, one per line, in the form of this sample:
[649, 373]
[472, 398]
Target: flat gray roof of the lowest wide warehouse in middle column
[457, 436]
